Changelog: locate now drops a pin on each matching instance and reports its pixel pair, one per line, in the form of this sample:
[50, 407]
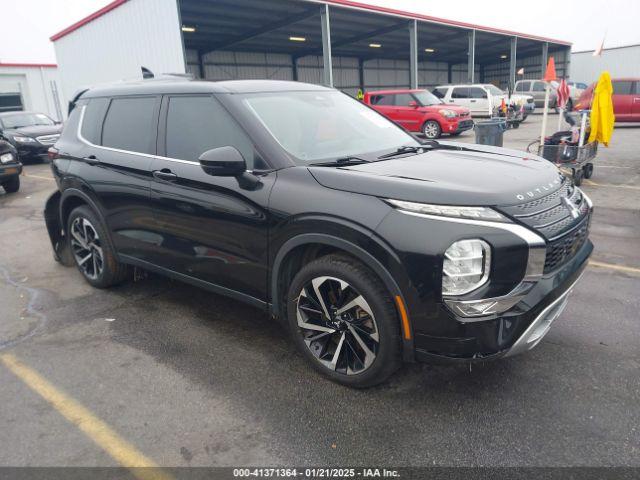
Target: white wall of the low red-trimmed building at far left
[36, 85]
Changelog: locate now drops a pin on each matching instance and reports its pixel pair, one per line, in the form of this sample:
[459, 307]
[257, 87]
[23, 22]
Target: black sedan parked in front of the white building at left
[31, 133]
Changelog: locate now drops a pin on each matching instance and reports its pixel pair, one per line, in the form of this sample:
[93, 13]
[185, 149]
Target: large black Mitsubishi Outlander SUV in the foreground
[370, 247]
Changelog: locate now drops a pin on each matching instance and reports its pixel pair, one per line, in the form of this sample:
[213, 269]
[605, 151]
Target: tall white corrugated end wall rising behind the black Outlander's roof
[114, 46]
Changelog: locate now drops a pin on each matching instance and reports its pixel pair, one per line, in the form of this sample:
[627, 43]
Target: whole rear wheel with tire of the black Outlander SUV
[91, 249]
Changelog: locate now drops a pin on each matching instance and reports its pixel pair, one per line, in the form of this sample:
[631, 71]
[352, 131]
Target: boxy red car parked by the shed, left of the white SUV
[420, 111]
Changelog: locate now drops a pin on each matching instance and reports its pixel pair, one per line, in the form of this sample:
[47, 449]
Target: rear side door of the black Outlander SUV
[118, 140]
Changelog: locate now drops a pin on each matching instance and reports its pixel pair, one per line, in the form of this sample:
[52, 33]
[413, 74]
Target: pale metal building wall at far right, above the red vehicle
[619, 62]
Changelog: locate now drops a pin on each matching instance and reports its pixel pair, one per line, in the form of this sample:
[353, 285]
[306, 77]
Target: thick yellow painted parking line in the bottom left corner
[102, 435]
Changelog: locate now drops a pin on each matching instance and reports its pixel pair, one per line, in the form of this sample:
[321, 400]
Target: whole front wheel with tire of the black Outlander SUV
[344, 322]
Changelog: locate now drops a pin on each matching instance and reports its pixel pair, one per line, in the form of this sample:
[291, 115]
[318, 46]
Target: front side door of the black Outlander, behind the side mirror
[213, 229]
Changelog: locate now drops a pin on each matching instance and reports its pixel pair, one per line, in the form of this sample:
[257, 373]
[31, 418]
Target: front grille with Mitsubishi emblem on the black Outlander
[562, 218]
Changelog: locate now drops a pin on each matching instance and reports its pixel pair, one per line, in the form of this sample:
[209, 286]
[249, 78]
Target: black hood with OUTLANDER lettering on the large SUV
[474, 175]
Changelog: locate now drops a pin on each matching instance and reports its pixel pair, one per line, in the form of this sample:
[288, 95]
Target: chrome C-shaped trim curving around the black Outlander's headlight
[533, 273]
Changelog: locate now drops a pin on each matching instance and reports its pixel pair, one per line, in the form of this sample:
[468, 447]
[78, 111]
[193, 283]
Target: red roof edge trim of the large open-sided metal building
[340, 3]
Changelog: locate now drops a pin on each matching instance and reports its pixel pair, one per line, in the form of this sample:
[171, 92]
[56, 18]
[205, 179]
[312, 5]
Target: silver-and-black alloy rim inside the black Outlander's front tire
[337, 325]
